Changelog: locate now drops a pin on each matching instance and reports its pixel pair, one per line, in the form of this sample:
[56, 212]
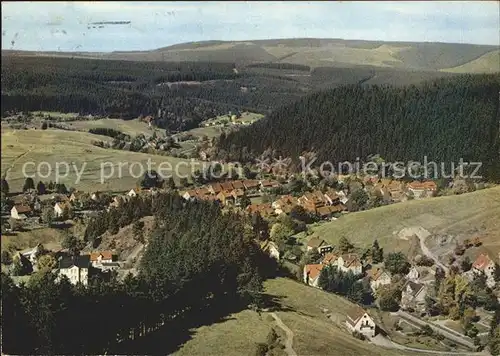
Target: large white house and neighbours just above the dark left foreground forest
[79, 268]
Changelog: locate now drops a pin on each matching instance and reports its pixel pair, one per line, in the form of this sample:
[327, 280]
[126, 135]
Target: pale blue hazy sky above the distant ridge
[66, 26]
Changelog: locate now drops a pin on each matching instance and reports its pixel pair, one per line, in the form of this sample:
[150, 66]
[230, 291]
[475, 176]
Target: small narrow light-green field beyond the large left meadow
[129, 127]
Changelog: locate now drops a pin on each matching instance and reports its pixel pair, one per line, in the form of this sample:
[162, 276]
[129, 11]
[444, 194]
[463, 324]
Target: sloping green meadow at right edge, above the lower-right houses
[466, 215]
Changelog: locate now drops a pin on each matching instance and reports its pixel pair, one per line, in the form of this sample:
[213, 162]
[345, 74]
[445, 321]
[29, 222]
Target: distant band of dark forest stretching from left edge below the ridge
[177, 95]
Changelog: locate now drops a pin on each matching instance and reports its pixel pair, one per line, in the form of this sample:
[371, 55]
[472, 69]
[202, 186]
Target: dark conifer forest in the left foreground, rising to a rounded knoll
[199, 265]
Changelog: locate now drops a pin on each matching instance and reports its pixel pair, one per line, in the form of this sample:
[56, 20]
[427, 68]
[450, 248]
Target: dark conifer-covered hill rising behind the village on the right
[445, 120]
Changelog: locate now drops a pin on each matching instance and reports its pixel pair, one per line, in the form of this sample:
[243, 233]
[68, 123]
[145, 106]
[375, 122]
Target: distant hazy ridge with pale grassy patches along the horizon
[310, 51]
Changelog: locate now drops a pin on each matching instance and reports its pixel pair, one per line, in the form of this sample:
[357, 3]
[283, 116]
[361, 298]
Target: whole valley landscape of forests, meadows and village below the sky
[168, 189]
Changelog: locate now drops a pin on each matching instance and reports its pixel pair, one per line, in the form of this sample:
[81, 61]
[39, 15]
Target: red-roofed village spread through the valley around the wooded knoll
[406, 287]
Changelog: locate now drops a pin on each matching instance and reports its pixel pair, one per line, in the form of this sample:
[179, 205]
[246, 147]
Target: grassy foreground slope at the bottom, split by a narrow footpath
[314, 333]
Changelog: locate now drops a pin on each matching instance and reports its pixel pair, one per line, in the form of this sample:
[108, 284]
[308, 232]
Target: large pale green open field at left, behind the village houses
[75, 148]
